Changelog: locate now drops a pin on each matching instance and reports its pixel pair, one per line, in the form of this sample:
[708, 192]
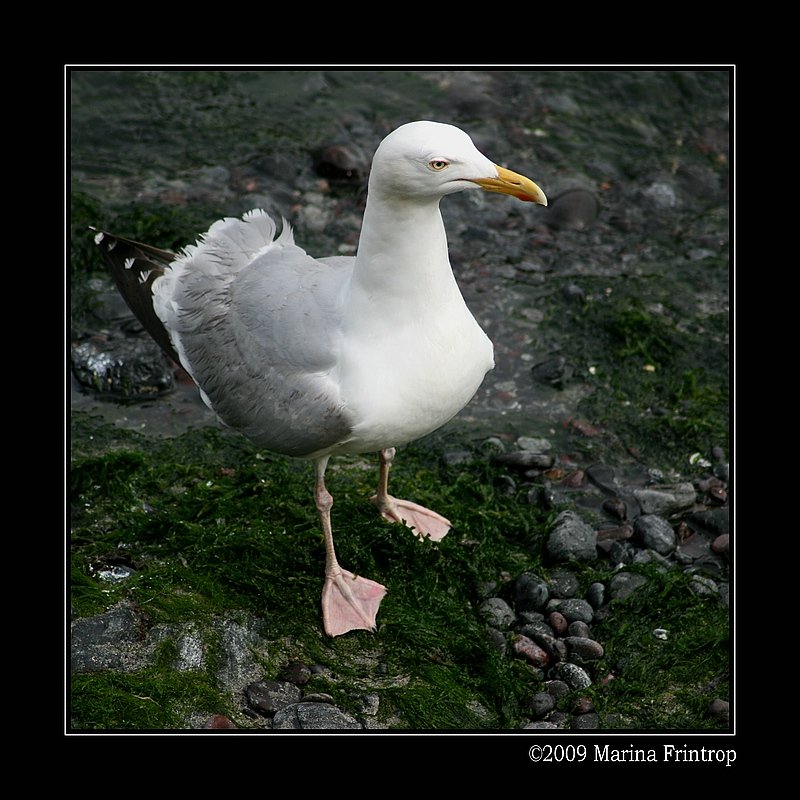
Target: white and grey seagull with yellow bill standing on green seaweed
[319, 357]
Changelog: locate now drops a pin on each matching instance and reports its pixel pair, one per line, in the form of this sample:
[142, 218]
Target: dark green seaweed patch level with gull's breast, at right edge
[659, 372]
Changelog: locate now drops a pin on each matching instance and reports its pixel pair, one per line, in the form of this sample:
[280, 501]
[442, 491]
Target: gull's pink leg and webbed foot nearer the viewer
[349, 602]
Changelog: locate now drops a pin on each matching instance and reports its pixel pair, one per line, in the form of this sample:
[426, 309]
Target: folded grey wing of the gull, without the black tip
[266, 351]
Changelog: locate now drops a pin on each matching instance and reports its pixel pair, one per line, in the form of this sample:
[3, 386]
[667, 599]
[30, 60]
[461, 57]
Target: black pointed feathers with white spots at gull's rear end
[134, 267]
